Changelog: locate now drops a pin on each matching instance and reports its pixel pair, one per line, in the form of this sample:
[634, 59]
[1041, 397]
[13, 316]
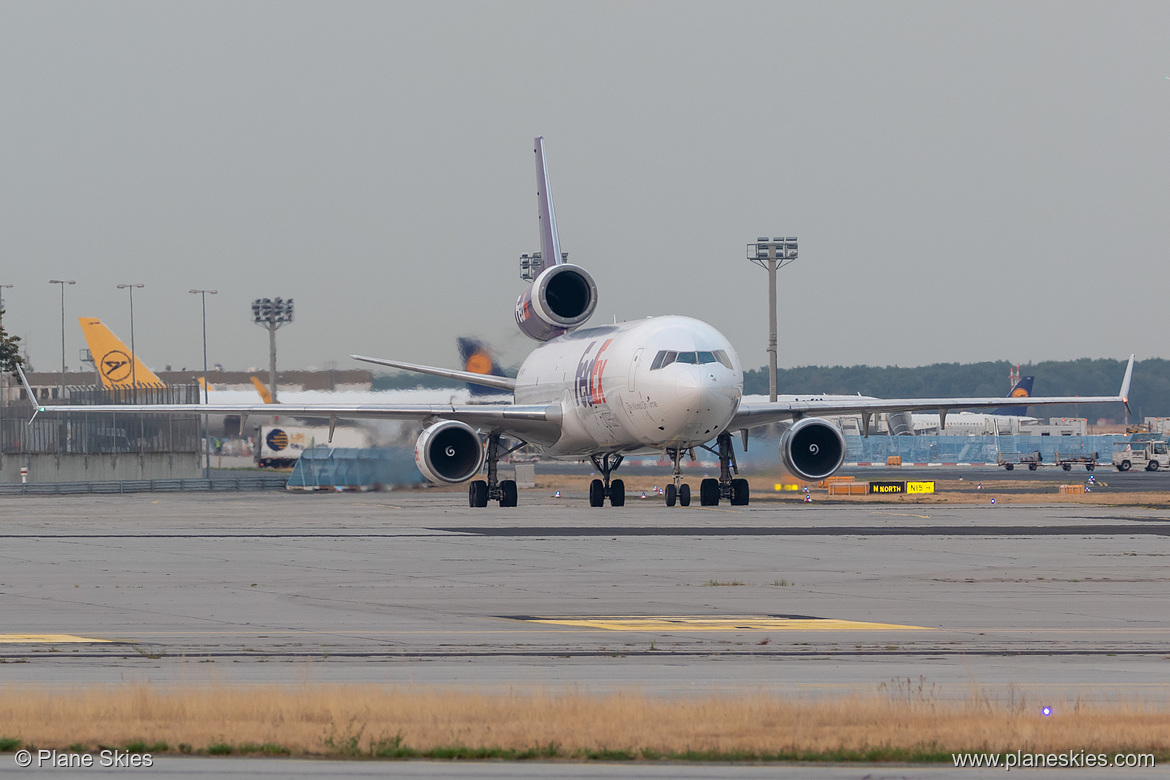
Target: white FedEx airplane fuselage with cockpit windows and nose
[636, 386]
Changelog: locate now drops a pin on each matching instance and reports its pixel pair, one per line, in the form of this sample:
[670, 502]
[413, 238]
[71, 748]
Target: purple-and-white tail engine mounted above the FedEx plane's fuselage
[558, 301]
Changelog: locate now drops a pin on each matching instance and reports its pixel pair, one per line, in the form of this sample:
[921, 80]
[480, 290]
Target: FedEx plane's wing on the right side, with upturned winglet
[752, 415]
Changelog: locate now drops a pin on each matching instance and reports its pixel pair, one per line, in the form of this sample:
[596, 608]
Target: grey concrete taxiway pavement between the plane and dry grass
[414, 588]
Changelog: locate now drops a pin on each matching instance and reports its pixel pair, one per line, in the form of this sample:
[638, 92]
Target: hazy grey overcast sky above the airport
[968, 181]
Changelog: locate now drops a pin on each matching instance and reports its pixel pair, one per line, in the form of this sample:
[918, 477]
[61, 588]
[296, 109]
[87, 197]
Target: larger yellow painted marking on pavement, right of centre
[711, 624]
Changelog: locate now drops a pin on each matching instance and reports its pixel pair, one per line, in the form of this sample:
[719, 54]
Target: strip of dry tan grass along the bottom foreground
[367, 721]
